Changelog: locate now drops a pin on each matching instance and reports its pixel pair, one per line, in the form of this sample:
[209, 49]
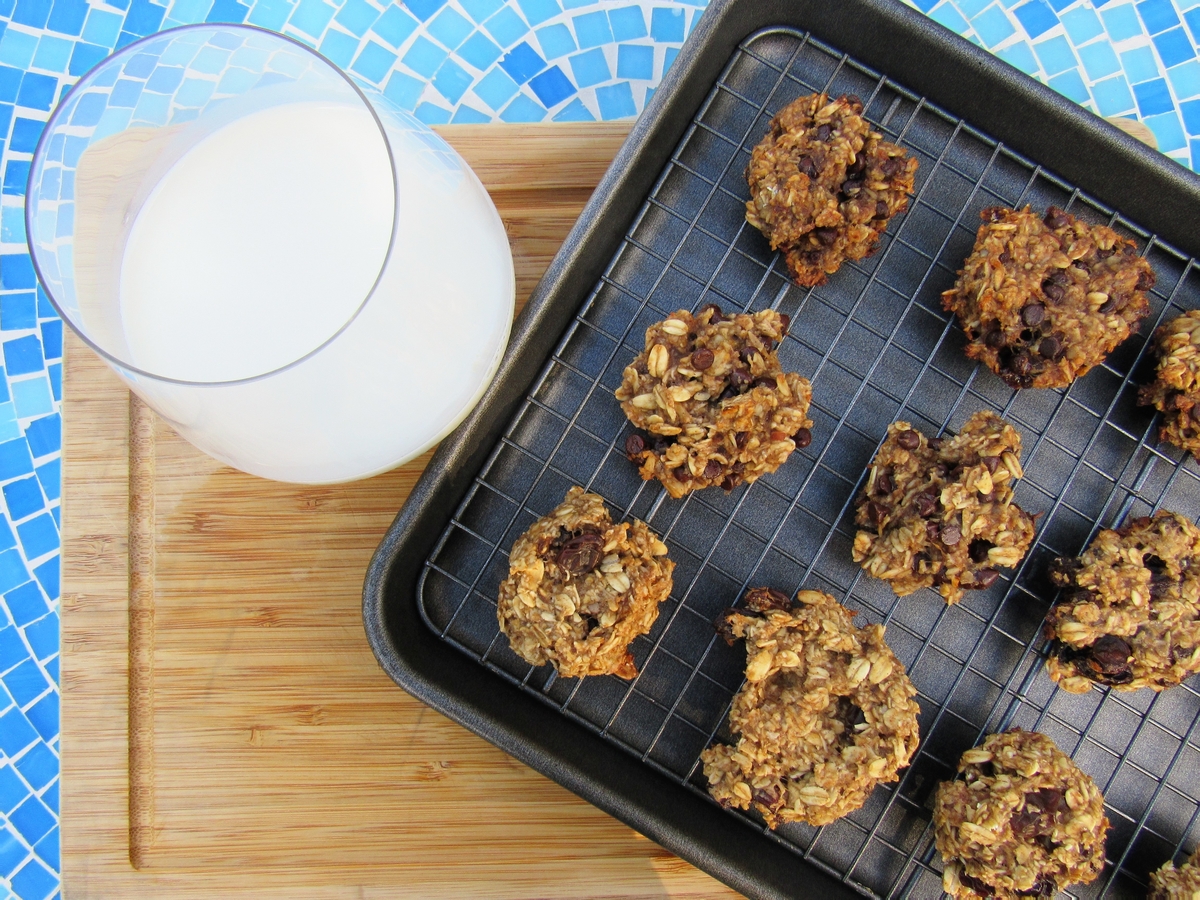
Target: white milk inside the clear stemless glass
[254, 255]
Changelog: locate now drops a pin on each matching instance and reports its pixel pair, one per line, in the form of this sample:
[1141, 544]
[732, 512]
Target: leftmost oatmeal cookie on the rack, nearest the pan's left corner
[580, 589]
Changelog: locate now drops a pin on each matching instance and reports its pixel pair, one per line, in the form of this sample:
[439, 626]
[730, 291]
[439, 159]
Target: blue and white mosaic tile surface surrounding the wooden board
[447, 62]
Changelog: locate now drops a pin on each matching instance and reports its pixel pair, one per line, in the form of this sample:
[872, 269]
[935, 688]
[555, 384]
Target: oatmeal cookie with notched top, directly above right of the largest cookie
[940, 513]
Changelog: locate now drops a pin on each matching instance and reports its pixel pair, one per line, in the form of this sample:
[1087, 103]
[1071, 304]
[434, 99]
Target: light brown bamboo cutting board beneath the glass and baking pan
[226, 730]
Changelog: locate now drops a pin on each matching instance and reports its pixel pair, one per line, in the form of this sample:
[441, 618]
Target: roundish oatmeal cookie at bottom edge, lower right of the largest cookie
[1021, 820]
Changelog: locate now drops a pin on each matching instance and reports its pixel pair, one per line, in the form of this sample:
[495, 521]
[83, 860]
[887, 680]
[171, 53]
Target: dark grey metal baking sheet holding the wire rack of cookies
[665, 232]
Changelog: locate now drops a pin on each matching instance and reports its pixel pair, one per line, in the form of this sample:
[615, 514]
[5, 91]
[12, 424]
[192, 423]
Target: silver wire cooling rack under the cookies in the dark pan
[878, 347]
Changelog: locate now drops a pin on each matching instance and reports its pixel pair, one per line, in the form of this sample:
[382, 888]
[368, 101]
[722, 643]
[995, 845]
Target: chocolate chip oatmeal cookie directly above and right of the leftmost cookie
[712, 401]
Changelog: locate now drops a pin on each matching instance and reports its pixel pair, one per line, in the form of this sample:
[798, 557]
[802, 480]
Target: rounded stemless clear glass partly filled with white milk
[305, 281]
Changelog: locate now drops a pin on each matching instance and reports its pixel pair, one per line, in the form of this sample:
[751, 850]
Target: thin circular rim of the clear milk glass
[86, 81]
